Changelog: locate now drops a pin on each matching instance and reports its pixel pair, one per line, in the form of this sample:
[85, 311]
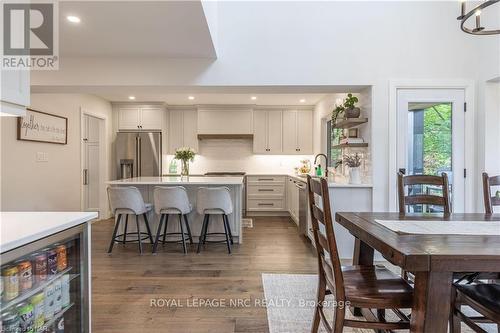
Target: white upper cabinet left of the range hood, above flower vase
[183, 130]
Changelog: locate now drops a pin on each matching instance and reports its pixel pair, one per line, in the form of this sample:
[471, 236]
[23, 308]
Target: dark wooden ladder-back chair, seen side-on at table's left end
[365, 287]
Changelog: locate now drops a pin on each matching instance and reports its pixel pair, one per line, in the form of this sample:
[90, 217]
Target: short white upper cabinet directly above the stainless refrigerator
[140, 118]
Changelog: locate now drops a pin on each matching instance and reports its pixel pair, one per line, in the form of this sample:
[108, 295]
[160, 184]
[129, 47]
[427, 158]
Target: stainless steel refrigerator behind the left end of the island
[138, 154]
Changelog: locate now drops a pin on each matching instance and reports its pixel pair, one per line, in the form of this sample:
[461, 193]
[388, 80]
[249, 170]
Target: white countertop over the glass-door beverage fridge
[20, 228]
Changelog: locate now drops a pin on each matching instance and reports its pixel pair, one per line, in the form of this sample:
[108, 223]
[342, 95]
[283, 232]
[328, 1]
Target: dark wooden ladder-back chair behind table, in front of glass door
[423, 199]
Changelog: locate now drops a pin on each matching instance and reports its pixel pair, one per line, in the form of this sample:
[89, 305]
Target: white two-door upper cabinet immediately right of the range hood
[267, 132]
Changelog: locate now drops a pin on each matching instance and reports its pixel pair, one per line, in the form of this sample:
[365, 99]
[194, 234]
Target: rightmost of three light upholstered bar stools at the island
[214, 201]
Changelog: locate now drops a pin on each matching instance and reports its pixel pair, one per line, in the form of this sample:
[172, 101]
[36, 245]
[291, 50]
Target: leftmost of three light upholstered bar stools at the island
[128, 201]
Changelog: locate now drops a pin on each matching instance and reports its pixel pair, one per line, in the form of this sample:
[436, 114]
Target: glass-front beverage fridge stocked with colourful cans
[45, 285]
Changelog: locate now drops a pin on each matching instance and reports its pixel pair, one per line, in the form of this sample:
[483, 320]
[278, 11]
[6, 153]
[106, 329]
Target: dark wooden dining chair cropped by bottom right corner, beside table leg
[481, 297]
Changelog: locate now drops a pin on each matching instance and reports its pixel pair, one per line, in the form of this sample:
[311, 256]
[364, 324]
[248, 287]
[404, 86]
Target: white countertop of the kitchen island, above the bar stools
[177, 180]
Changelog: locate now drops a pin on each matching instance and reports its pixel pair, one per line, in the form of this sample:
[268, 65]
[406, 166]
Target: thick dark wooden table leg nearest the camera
[431, 302]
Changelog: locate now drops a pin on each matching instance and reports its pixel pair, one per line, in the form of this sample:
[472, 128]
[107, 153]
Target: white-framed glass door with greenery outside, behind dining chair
[431, 140]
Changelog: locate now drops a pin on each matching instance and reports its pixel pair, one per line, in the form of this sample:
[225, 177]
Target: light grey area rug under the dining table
[290, 304]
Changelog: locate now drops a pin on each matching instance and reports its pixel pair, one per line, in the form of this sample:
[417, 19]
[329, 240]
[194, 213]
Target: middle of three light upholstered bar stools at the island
[172, 201]
